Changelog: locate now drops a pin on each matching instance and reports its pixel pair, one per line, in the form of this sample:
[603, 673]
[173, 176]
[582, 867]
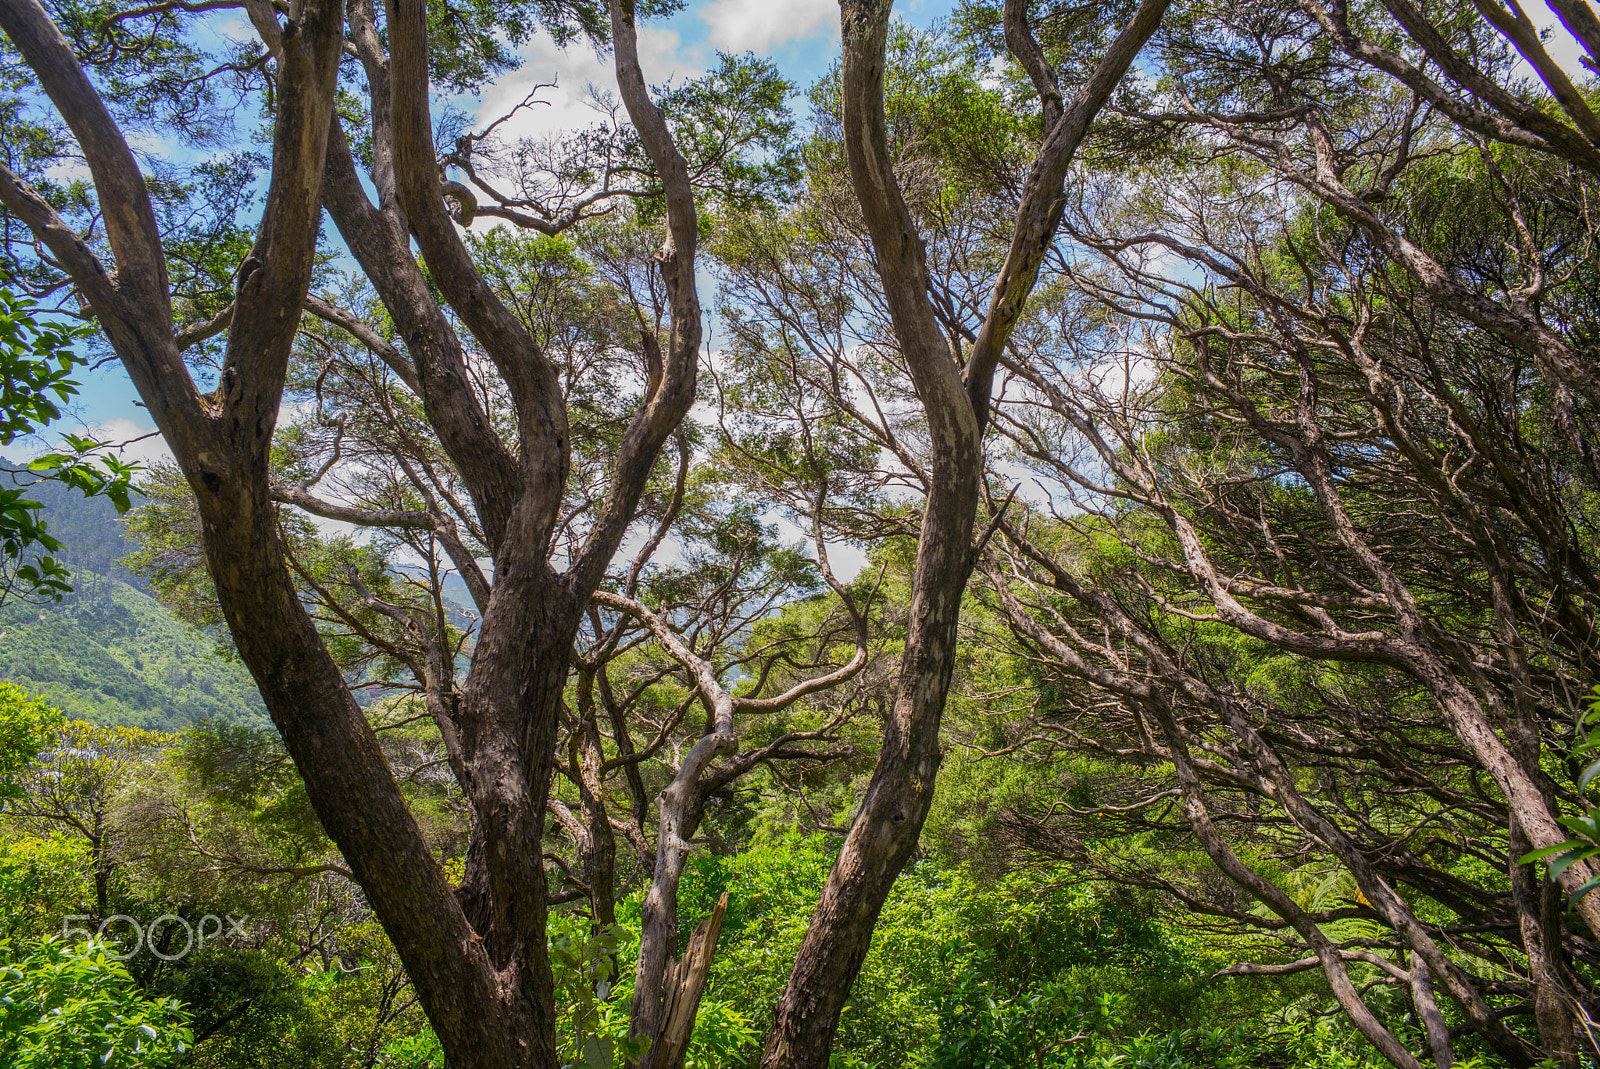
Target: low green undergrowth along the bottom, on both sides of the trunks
[972, 966]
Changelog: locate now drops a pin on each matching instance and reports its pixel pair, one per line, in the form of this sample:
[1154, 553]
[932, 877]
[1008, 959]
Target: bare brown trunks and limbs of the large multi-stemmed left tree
[476, 955]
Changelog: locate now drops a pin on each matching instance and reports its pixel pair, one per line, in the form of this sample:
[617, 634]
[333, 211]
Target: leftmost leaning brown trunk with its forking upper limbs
[223, 446]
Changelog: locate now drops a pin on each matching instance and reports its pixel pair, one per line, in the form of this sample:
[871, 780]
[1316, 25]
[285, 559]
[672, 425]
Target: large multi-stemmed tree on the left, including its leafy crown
[506, 470]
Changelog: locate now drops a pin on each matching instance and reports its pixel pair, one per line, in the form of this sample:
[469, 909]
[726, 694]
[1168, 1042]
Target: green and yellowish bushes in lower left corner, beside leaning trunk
[121, 820]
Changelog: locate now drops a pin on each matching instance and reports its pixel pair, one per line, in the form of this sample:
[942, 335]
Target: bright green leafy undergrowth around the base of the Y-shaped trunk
[1034, 969]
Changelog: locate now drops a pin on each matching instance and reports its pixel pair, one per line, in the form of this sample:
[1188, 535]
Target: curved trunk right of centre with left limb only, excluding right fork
[895, 807]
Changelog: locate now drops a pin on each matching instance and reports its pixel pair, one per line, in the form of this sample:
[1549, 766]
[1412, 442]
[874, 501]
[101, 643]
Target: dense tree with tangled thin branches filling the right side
[1318, 490]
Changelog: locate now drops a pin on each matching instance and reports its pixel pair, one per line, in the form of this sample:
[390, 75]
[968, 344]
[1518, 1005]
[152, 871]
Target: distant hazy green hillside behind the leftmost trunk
[110, 652]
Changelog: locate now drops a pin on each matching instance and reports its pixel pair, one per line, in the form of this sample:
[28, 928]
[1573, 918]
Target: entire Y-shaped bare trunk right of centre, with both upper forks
[892, 814]
